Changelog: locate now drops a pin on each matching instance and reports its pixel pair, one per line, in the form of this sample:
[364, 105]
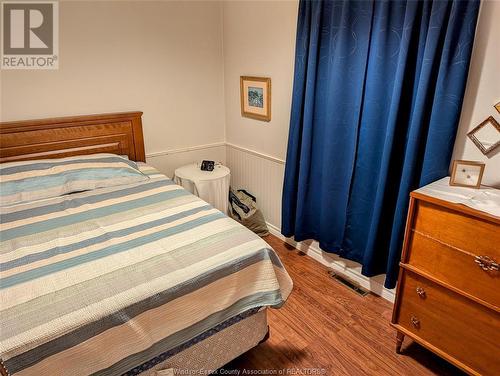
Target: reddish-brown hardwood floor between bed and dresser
[326, 328]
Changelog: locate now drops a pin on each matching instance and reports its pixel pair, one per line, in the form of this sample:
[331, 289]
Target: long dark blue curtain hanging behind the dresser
[377, 95]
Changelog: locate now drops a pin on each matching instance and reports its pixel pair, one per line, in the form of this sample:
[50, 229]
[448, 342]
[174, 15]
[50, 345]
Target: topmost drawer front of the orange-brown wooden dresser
[471, 234]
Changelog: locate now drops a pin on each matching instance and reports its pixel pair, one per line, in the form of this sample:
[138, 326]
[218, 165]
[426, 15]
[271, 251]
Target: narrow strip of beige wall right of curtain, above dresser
[483, 91]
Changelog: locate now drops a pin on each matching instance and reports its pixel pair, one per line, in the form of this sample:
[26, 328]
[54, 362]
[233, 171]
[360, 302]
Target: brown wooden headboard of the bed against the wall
[118, 133]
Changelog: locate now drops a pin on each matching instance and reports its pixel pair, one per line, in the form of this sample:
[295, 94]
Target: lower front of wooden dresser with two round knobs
[468, 332]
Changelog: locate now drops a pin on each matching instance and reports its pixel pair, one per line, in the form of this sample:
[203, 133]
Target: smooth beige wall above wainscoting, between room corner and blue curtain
[259, 40]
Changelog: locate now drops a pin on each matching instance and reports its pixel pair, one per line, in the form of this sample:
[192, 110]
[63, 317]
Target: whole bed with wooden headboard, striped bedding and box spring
[126, 278]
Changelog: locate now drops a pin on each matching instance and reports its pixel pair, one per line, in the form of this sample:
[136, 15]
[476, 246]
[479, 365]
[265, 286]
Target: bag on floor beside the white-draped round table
[243, 208]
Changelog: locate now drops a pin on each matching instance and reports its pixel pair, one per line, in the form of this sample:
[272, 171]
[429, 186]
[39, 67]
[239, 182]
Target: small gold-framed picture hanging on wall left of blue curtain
[255, 97]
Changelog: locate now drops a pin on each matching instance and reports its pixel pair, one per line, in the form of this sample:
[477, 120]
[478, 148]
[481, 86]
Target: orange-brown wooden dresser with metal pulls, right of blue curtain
[448, 293]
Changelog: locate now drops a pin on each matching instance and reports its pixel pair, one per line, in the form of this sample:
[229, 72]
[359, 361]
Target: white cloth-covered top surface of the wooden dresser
[485, 199]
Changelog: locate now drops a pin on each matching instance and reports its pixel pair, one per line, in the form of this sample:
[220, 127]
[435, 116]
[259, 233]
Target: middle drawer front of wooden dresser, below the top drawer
[454, 267]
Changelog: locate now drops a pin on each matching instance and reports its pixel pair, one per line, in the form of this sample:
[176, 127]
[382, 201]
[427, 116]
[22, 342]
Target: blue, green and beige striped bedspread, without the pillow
[102, 281]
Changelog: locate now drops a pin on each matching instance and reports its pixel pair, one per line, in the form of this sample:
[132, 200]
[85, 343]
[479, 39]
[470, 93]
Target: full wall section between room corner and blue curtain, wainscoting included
[259, 40]
